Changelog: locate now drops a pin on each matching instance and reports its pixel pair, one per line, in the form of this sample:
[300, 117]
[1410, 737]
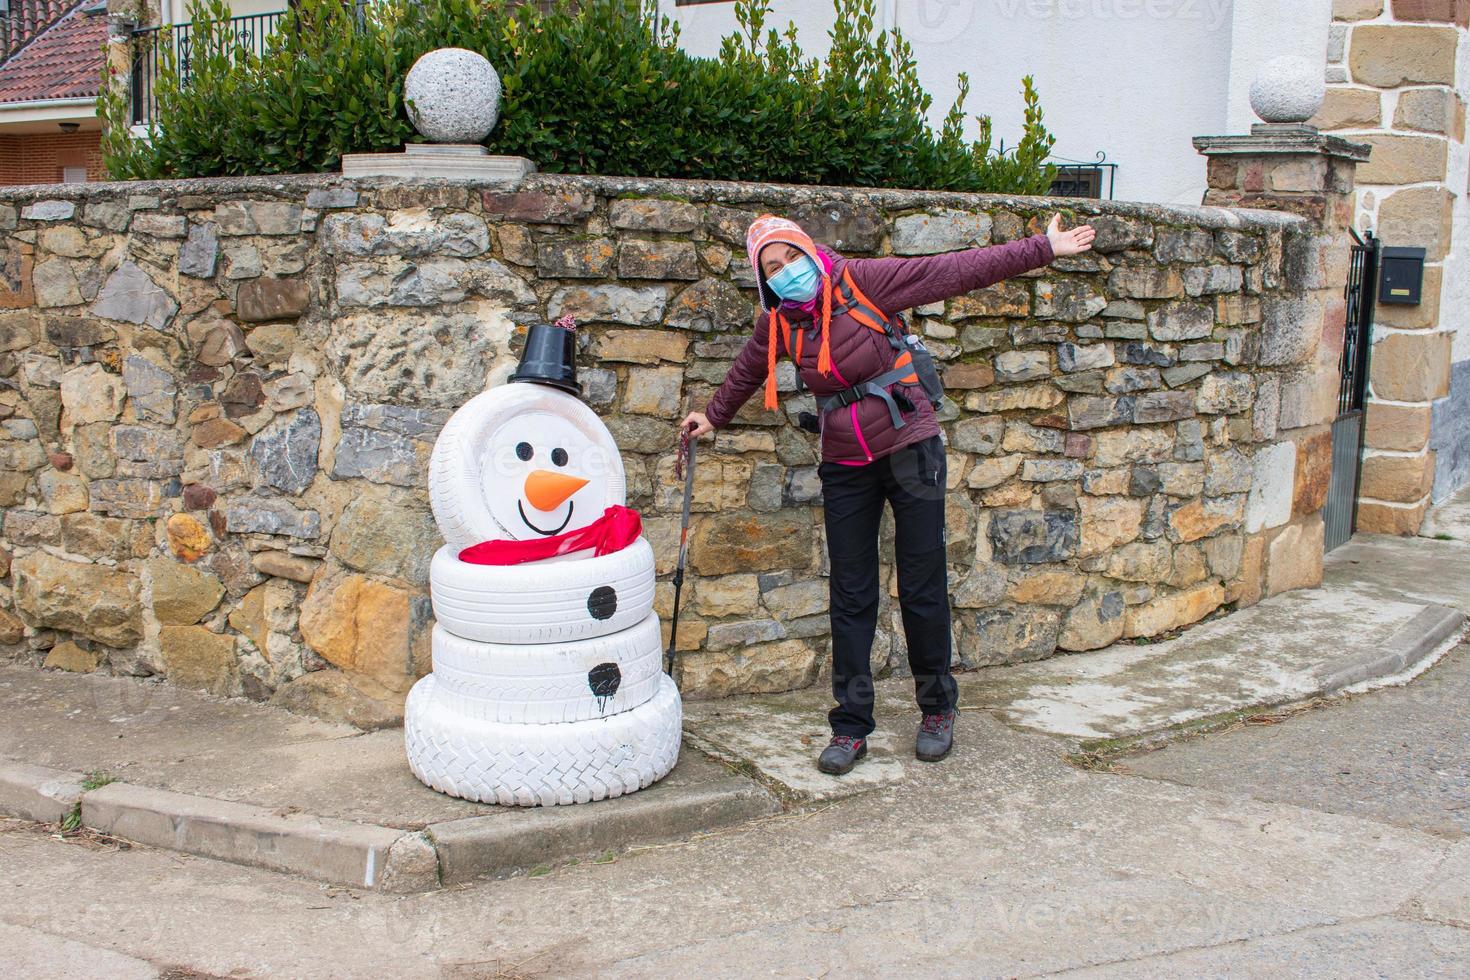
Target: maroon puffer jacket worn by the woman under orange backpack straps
[865, 431]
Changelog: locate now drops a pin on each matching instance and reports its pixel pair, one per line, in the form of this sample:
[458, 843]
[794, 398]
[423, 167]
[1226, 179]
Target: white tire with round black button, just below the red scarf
[543, 602]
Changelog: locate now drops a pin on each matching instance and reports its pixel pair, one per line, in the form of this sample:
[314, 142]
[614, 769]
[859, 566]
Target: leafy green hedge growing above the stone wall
[600, 89]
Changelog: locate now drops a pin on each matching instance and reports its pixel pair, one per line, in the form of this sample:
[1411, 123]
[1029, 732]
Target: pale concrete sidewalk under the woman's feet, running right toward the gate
[1388, 609]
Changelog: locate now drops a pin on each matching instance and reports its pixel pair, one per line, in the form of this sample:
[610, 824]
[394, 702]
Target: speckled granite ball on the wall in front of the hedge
[453, 96]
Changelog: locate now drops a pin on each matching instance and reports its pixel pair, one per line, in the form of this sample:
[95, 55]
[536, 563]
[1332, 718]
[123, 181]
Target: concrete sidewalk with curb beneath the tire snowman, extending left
[257, 785]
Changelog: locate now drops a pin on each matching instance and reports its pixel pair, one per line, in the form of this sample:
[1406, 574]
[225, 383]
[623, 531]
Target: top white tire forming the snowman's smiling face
[473, 480]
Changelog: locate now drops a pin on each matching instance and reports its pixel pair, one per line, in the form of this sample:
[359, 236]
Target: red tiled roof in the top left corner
[64, 61]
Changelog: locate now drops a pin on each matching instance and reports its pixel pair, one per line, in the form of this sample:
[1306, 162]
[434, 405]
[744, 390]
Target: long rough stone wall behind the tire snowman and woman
[218, 399]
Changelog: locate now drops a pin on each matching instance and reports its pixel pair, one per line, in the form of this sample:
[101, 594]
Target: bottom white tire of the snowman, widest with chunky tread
[542, 765]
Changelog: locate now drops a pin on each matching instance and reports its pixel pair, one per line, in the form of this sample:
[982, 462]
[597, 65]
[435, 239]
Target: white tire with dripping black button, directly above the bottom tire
[548, 684]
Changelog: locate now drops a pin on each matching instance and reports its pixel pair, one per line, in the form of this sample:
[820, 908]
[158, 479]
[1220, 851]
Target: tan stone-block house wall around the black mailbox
[1397, 83]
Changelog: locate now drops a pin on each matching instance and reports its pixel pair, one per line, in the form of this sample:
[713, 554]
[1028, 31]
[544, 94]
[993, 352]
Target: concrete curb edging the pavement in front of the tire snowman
[368, 856]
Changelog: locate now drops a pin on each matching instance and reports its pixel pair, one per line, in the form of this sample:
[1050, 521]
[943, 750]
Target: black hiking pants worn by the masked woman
[912, 481]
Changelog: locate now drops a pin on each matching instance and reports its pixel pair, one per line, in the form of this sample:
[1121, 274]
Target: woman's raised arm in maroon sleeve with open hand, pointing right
[902, 283]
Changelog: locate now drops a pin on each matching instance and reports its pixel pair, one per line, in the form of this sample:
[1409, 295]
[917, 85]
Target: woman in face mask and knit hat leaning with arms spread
[880, 442]
